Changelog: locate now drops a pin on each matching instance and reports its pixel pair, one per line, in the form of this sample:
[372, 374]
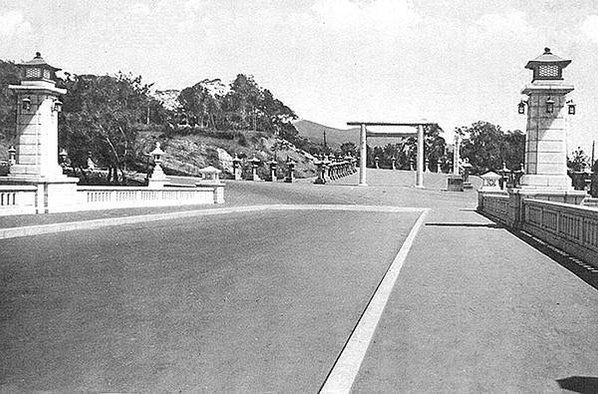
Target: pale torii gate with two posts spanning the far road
[419, 178]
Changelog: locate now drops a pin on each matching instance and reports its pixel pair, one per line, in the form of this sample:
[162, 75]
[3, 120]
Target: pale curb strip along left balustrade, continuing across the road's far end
[14, 232]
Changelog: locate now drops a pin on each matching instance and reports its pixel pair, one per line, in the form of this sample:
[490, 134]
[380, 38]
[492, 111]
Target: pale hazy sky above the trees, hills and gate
[332, 61]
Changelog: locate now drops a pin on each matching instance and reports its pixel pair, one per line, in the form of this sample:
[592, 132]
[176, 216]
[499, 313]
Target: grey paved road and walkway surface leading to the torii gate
[261, 302]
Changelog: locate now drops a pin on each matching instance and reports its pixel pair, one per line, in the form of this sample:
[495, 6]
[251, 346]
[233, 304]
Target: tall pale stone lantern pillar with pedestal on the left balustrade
[36, 148]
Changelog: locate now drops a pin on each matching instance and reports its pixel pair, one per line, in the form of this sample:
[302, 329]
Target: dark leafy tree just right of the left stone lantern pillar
[101, 116]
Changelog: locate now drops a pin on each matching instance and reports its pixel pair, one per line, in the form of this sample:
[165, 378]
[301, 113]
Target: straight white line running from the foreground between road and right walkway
[348, 363]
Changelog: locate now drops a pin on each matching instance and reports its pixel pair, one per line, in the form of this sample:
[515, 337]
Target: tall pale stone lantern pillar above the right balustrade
[546, 136]
